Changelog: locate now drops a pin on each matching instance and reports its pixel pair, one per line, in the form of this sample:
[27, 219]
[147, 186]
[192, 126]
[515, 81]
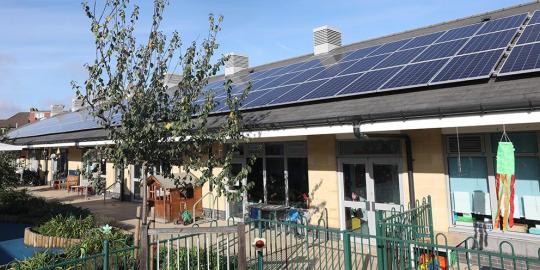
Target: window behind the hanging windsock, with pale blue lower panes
[472, 175]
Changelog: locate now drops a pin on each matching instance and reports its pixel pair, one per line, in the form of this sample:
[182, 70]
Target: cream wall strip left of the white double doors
[323, 178]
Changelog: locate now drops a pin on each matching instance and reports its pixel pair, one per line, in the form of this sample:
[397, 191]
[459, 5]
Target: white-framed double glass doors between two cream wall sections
[368, 185]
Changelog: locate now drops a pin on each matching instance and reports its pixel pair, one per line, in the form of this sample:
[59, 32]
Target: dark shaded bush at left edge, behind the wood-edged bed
[20, 207]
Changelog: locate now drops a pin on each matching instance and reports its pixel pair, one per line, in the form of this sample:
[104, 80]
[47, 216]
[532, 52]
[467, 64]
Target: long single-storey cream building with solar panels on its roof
[350, 129]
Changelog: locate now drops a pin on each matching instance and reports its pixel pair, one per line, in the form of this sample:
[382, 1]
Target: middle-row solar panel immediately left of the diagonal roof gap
[489, 41]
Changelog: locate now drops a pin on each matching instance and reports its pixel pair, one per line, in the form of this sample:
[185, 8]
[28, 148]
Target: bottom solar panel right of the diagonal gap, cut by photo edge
[525, 58]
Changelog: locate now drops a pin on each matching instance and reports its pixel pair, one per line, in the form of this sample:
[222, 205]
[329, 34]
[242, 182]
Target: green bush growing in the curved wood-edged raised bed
[66, 226]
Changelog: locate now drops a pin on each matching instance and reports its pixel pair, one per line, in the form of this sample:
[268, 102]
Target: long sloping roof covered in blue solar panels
[471, 50]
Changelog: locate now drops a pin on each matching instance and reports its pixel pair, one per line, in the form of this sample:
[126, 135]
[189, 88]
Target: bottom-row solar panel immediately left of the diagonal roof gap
[470, 66]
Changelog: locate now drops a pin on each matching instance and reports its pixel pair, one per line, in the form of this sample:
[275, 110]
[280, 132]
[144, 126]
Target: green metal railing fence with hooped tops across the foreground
[404, 239]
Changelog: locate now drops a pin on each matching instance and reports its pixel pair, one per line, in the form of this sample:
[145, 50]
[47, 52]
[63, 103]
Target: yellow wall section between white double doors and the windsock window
[429, 176]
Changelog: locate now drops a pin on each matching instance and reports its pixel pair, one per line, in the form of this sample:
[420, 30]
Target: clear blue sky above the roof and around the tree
[44, 44]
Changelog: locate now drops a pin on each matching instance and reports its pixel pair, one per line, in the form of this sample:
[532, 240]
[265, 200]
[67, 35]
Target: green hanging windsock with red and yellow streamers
[505, 181]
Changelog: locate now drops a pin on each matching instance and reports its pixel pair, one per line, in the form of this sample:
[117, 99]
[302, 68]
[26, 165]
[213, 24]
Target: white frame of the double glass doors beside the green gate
[369, 205]
